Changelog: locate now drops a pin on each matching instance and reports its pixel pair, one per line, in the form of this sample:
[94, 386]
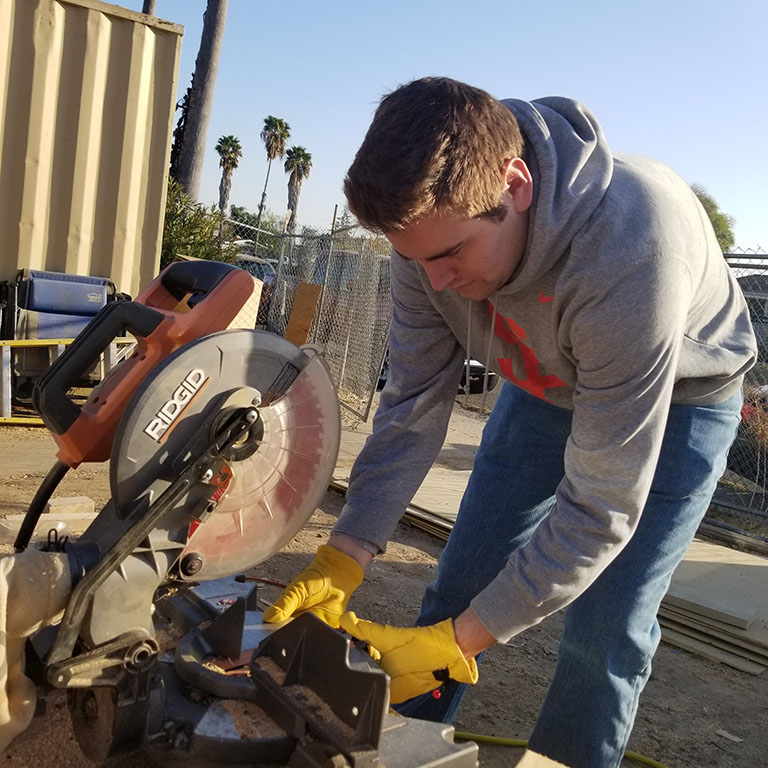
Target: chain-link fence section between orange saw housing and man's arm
[350, 270]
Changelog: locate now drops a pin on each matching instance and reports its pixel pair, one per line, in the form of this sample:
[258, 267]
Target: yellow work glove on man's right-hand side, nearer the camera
[417, 659]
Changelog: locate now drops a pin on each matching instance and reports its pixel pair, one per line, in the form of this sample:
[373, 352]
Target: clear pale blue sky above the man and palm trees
[684, 81]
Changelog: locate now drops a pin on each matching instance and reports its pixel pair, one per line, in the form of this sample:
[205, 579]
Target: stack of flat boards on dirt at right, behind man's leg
[717, 606]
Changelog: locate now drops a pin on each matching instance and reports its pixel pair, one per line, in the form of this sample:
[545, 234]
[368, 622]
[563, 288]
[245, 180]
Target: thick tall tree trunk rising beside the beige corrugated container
[201, 98]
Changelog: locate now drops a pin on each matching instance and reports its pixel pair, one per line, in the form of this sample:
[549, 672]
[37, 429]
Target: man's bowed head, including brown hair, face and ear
[440, 173]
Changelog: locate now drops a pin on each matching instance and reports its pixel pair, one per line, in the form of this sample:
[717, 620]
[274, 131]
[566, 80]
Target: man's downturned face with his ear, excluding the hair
[474, 257]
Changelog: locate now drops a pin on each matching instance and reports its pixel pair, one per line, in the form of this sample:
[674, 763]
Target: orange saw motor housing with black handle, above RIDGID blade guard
[185, 301]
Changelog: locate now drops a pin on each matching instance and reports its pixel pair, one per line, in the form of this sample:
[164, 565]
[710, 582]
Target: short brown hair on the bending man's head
[435, 146]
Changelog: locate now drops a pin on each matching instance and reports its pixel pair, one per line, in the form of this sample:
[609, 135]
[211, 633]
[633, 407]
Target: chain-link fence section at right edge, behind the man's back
[744, 487]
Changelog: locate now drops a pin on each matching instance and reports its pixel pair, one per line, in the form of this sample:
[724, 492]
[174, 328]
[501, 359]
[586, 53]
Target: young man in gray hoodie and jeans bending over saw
[594, 285]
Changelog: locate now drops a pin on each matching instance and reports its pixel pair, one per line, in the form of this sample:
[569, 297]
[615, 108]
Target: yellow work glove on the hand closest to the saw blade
[323, 588]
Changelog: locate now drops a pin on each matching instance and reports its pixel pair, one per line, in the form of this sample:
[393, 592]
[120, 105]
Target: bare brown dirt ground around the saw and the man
[693, 714]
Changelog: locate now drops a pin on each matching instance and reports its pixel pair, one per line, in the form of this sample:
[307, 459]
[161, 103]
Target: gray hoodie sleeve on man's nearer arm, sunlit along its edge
[621, 400]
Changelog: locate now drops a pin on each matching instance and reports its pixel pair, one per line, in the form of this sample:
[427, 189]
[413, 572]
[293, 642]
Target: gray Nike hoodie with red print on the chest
[621, 304]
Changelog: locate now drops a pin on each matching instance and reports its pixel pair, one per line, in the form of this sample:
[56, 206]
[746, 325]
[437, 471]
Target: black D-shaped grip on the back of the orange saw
[49, 396]
